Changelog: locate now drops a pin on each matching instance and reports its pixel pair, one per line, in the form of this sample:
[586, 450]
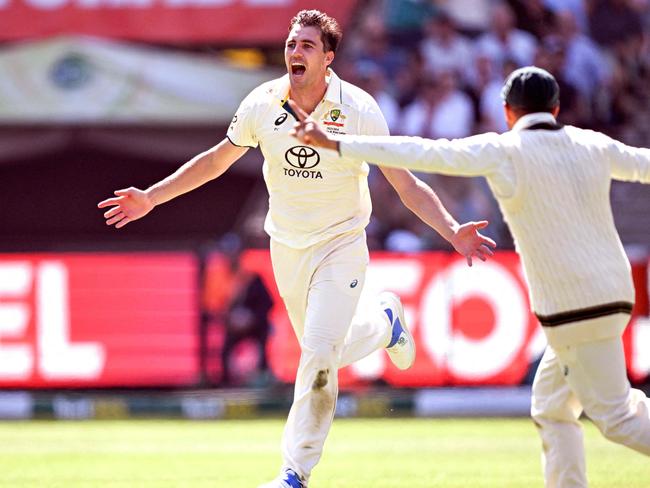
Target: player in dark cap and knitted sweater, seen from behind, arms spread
[552, 184]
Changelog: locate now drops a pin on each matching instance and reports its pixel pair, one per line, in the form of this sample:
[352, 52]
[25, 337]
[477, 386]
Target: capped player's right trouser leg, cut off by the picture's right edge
[596, 373]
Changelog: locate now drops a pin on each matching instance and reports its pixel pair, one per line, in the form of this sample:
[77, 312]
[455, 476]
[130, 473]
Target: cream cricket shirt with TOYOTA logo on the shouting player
[314, 194]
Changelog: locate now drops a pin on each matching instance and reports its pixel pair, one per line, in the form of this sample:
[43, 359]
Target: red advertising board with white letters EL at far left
[98, 320]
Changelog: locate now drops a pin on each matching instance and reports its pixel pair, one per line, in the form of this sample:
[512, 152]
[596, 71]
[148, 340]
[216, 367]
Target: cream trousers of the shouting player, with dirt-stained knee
[320, 287]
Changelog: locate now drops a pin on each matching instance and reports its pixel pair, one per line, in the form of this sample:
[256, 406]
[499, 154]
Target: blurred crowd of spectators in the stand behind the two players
[436, 69]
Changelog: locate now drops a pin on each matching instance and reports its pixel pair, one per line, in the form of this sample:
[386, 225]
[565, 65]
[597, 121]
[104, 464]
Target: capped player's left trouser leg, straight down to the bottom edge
[555, 410]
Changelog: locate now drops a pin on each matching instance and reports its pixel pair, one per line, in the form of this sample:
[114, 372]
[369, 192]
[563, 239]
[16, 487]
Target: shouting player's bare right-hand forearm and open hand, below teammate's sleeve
[418, 197]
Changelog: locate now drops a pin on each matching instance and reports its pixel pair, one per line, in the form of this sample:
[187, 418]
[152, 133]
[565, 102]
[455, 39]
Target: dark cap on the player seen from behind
[532, 89]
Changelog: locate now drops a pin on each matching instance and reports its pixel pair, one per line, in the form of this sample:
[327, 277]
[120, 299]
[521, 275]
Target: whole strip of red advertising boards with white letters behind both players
[96, 320]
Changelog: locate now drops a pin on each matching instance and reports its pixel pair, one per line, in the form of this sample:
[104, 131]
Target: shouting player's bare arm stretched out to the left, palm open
[132, 203]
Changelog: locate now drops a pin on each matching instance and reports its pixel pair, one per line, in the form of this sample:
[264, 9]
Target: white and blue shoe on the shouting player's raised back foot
[401, 348]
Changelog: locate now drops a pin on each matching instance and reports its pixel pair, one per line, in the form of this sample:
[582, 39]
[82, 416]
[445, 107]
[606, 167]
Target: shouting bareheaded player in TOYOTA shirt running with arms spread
[319, 206]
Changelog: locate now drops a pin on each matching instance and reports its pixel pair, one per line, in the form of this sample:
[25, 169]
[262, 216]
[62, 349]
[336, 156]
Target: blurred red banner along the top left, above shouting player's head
[249, 22]
